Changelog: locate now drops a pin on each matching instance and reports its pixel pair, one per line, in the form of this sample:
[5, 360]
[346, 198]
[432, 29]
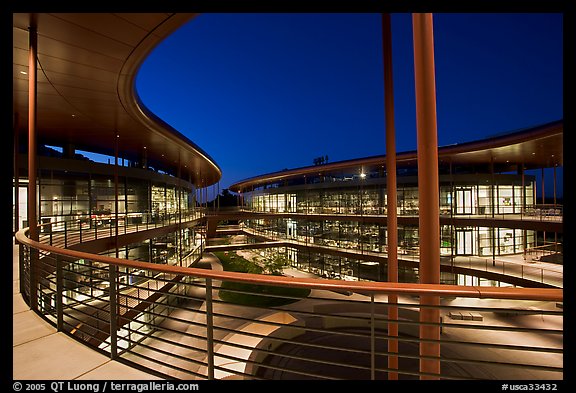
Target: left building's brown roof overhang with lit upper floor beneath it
[78, 98]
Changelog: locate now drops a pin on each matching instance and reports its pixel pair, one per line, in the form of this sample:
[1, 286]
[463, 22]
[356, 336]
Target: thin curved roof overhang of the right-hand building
[537, 147]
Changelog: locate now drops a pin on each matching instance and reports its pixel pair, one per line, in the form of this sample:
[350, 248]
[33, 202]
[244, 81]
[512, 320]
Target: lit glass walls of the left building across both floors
[72, 202]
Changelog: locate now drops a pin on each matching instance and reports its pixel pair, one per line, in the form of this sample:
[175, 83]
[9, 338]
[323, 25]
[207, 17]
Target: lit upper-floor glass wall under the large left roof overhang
[91, 201]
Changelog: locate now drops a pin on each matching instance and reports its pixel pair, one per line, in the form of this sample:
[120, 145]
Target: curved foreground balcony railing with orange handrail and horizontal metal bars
[203, 323]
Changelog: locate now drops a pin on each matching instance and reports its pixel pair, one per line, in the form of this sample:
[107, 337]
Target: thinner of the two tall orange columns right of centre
[391, 215]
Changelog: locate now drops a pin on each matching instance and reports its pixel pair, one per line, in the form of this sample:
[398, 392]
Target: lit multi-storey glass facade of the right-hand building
[357, 207]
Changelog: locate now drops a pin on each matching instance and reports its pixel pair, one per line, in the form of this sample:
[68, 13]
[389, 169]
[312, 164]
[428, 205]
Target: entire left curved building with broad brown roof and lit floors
[94, 170]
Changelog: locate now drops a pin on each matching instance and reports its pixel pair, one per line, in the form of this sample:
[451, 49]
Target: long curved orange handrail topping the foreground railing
[411, 289]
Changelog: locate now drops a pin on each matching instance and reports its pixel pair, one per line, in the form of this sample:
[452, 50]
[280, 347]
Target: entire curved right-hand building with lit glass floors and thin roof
[489, 207]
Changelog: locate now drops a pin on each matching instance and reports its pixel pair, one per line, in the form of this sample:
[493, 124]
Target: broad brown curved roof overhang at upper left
[86, 97]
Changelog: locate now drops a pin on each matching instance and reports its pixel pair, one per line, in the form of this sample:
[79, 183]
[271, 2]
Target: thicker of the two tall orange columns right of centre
[428, 191]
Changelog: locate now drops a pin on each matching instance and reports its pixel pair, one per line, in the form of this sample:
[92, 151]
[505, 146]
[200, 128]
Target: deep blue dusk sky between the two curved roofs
[264, 92]
